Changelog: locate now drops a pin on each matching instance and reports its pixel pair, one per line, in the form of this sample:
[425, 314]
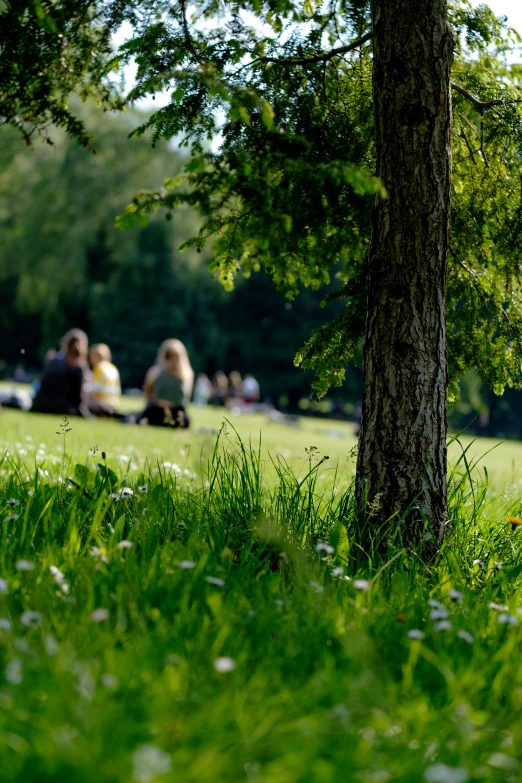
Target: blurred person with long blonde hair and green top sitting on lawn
[168, 386]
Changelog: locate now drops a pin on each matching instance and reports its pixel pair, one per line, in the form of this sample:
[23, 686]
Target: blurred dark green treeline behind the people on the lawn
[63, 263]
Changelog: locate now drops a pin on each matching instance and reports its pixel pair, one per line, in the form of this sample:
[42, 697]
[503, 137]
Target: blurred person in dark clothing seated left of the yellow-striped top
[65, 379]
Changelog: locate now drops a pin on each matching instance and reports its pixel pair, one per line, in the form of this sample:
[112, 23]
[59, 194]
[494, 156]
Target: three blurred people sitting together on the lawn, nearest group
[77, 381]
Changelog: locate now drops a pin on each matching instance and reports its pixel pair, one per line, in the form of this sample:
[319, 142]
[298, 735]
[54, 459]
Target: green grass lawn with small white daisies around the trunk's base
[222, 569]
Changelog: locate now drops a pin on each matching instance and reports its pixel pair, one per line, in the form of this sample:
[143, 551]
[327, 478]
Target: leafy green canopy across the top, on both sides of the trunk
[273, 99]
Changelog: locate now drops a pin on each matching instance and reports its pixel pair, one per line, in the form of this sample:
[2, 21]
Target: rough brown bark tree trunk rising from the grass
[402, 452]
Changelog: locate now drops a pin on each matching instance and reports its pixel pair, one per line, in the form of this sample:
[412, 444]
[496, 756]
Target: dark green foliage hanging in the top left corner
[48, 50]
